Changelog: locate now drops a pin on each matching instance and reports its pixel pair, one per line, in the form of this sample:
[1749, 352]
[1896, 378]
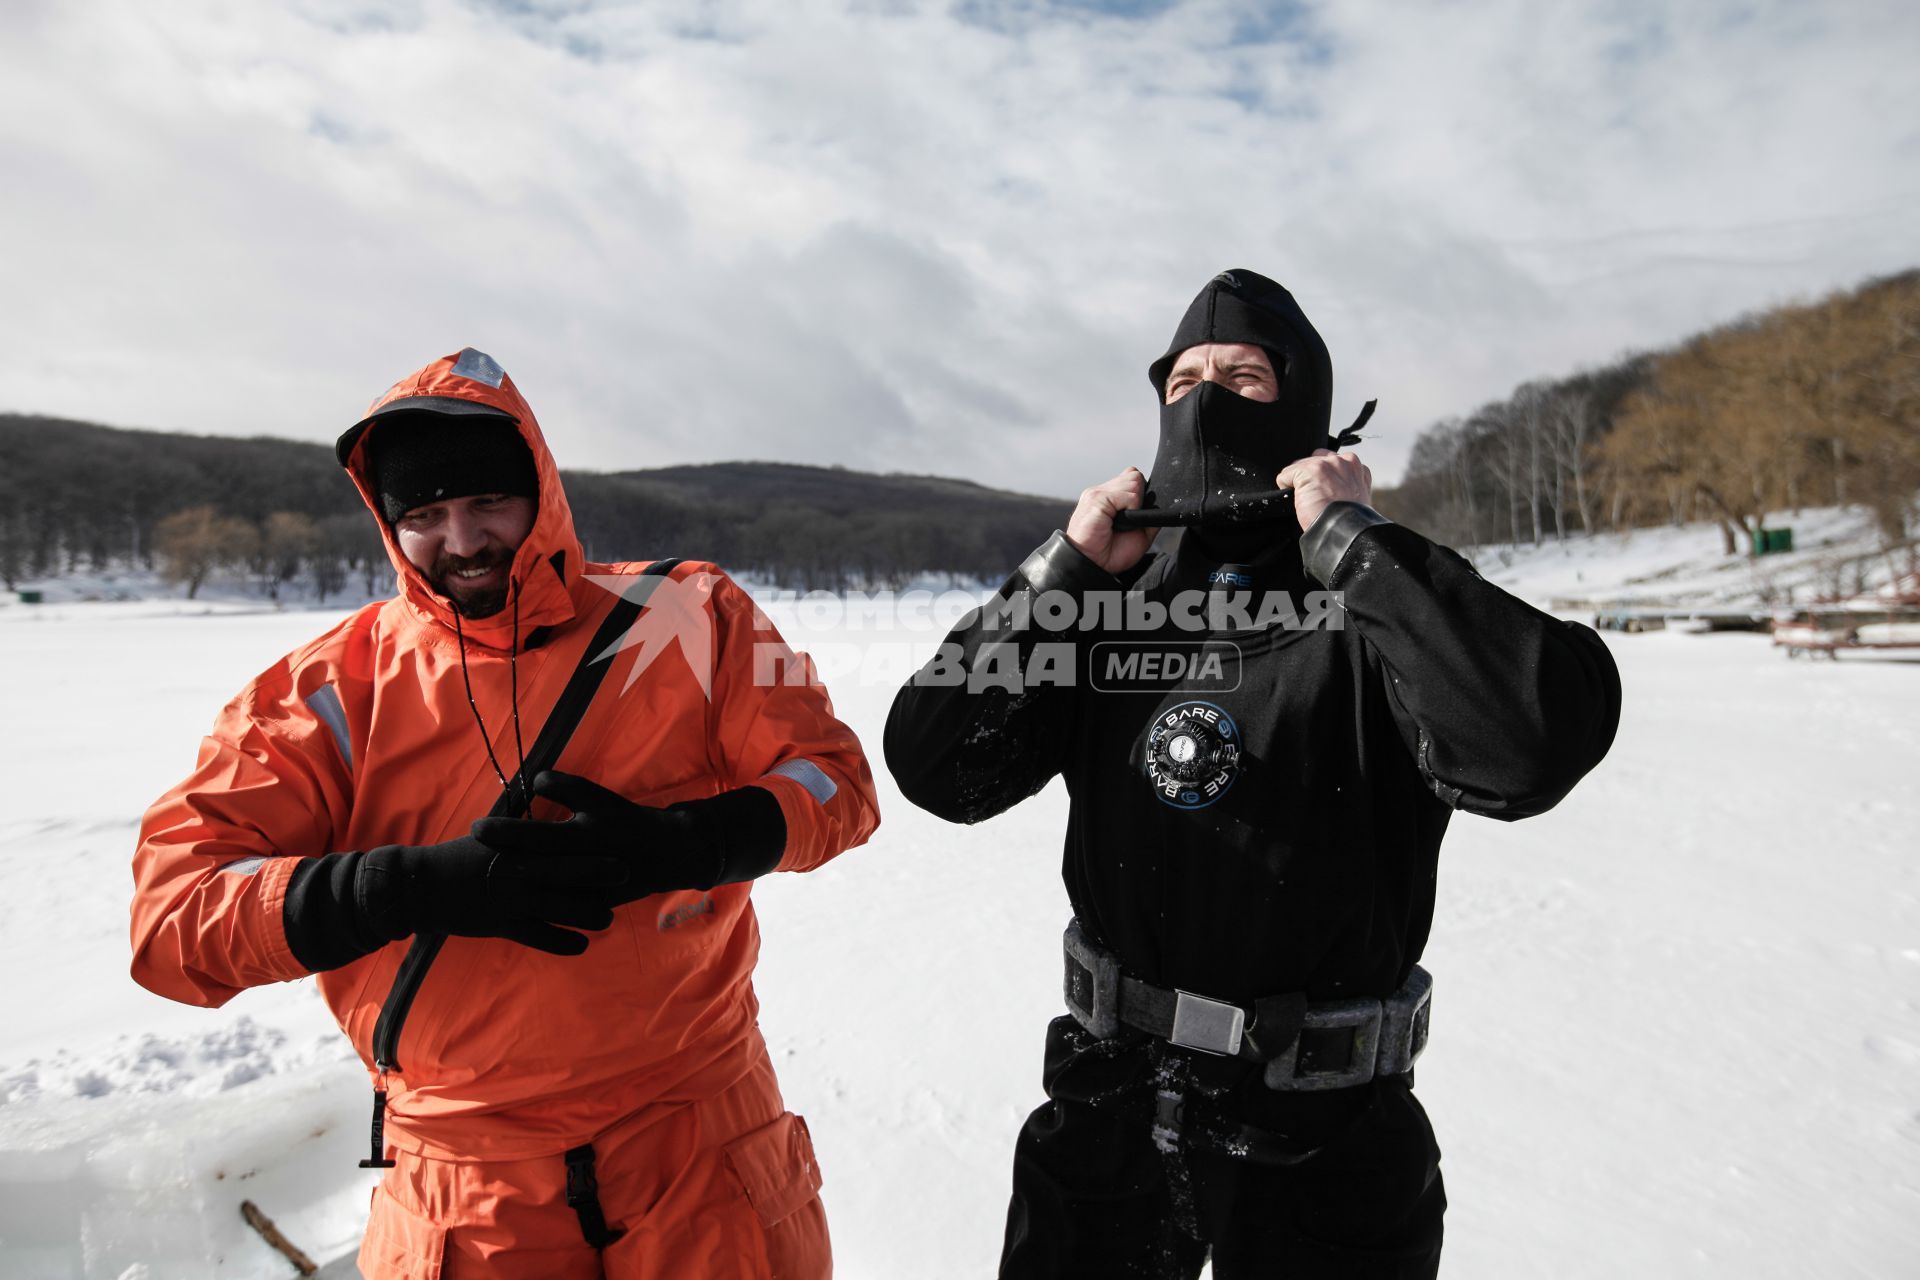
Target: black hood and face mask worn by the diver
[1218, 450]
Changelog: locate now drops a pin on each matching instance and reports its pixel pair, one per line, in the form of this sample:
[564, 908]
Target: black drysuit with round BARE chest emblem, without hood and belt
[1291, 851]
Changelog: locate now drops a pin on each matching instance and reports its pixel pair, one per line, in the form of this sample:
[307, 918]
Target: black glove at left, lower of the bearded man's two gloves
[345, 907]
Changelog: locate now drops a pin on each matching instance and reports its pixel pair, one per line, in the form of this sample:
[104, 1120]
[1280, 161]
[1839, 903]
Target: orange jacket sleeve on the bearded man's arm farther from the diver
[218, 851]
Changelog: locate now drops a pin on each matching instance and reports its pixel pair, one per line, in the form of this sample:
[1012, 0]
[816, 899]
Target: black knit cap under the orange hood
[420, 458]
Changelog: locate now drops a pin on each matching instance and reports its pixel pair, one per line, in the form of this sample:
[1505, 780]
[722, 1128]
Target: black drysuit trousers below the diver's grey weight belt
[1341, 1183]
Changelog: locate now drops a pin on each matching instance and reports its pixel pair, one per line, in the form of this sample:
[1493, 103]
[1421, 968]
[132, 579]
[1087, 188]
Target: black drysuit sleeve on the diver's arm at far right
[1504, 707]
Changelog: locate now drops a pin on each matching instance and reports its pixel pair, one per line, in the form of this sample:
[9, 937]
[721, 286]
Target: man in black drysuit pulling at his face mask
[1251, 847]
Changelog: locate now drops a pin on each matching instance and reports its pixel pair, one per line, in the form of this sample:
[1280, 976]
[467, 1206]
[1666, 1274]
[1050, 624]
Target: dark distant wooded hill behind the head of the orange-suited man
[80, 498]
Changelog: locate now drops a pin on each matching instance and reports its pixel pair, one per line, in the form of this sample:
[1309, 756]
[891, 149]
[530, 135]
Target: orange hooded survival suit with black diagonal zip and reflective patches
[648, 1045]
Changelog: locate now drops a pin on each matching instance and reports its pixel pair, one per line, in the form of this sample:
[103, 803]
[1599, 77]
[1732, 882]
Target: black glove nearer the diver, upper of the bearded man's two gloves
[725, 840]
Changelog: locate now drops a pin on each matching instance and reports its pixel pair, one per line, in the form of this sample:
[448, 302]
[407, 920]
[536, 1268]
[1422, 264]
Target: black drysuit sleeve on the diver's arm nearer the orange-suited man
[959, 742]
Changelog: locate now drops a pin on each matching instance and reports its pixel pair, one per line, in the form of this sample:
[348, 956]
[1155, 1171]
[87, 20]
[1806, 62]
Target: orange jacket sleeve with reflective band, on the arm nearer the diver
[775, 728]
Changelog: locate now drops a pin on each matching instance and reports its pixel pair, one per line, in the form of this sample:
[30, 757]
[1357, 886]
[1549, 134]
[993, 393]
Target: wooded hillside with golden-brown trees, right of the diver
[1813, 404]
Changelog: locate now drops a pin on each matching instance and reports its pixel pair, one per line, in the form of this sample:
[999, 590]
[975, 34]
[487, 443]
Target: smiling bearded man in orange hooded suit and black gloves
[546, 972]
